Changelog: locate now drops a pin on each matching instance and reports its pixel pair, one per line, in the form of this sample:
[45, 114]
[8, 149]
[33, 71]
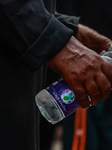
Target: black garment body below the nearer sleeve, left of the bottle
[17, 106]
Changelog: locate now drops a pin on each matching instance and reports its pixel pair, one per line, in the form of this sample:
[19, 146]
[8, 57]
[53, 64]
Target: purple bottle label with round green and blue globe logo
[64, 96]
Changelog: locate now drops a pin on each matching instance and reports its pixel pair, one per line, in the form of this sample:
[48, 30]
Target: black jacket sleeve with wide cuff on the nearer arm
[34, 33]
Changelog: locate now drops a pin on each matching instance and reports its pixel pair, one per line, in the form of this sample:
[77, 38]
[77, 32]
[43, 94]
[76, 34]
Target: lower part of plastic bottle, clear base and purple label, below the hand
[57, 101]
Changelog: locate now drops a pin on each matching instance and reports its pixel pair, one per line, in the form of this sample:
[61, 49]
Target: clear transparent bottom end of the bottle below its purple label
[48, 107]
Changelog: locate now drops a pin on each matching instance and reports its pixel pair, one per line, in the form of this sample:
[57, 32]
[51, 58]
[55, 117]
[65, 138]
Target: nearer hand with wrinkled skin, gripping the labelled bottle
[84, 71]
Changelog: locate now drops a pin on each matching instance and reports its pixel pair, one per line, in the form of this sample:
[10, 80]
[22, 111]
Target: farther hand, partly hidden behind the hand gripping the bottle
[93, 39]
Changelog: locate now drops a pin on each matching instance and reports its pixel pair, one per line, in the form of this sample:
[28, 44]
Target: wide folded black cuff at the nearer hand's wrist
[54, 37]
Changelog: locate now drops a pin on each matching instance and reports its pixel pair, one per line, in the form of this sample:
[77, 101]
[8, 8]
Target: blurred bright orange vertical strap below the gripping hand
[79, 139]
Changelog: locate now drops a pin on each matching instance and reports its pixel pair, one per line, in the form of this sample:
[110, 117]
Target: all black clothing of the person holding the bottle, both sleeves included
[29, 35]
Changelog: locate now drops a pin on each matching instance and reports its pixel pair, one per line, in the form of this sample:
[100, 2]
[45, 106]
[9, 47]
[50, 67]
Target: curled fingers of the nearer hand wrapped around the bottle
[97, 89]
